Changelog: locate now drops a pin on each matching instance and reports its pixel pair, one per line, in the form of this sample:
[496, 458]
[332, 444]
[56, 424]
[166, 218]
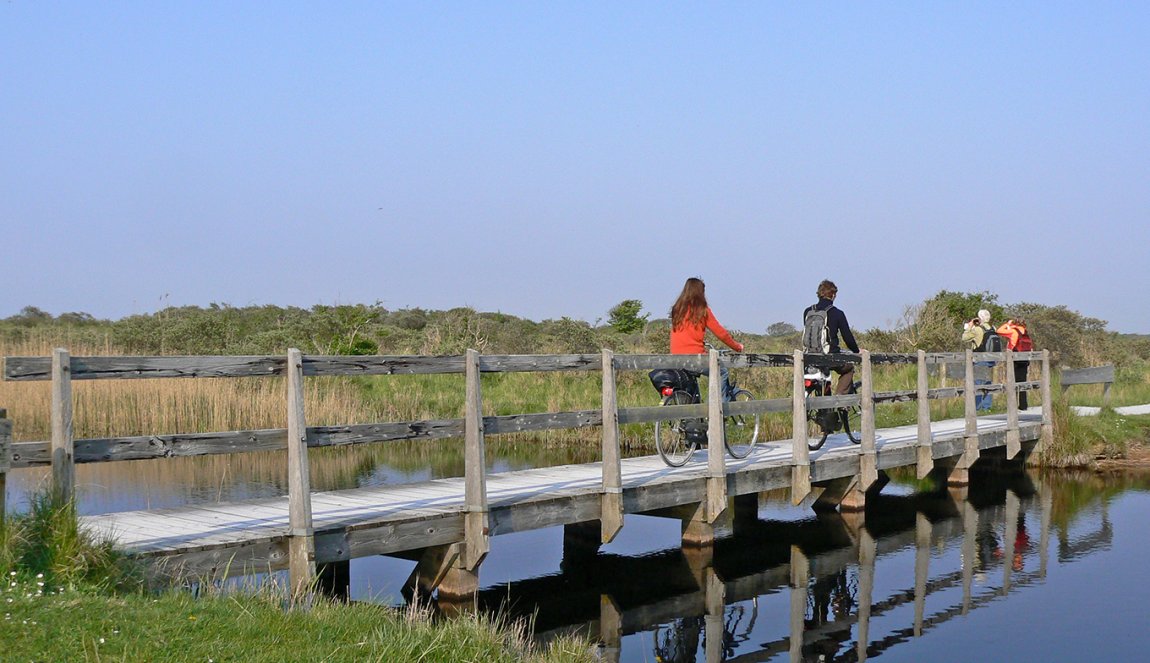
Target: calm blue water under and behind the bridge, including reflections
[1023, 568]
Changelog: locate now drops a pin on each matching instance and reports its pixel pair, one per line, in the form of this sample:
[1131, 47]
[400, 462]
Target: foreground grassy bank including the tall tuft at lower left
[66, 598]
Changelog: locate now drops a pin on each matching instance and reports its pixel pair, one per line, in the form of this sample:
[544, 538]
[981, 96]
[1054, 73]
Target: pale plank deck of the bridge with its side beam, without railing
[394, 519]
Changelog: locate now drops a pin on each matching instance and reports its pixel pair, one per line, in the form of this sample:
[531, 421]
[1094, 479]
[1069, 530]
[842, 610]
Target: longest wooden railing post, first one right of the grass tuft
[302, 545]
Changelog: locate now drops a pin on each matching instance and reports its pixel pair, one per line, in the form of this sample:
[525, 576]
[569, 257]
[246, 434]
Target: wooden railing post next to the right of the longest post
[476, 527]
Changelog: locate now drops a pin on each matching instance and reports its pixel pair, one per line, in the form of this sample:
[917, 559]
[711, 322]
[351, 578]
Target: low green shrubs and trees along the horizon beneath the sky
[933, 326]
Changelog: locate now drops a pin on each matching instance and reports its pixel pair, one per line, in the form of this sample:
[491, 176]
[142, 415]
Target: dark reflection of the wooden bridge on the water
[695, 597]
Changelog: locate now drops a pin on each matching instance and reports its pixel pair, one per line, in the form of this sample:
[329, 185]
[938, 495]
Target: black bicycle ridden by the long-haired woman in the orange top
[678, 440]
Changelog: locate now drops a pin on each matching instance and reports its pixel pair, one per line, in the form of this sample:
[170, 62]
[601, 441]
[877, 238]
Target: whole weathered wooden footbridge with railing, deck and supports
[447, 525]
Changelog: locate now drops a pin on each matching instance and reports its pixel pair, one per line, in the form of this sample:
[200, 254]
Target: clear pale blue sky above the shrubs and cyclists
[553, 159]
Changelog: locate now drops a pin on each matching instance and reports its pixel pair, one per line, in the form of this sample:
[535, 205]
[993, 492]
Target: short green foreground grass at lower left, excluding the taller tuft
[80, 626]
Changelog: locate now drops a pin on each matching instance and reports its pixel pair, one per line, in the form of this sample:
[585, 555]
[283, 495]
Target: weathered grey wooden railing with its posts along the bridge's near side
[63, 452]
